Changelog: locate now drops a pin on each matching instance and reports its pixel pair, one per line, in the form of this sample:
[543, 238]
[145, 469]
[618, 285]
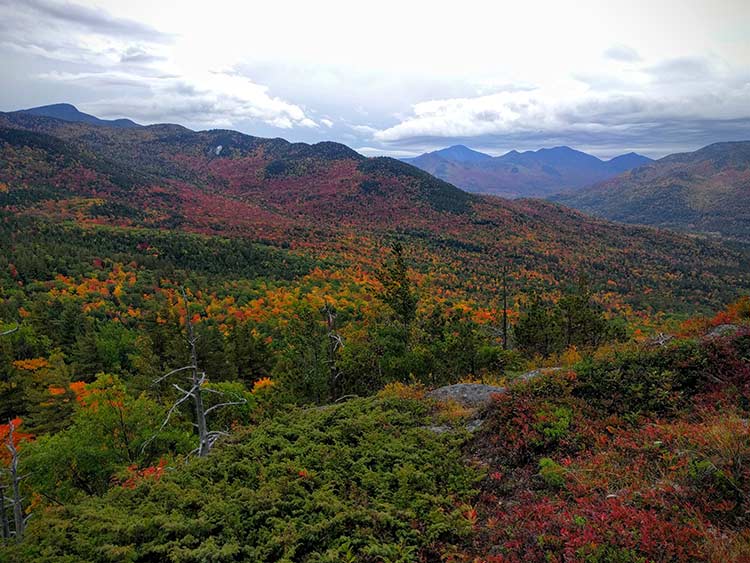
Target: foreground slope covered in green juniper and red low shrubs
[398, 478]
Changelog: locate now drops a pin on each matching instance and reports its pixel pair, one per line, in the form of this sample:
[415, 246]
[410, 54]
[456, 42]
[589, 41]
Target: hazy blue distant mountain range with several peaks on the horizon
[523, 174]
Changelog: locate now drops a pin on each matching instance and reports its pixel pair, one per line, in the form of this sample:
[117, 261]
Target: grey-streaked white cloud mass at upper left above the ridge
[130, 69]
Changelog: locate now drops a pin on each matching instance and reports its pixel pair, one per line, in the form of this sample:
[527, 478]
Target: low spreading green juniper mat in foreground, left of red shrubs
[361, 481]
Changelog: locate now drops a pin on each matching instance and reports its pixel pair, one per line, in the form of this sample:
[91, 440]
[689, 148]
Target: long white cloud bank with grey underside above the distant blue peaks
[575, 114]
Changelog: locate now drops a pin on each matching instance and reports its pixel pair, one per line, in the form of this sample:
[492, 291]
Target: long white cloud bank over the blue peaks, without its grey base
[575, 107]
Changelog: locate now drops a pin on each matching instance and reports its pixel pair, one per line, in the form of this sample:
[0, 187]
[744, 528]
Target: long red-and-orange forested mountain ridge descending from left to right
[327, 201]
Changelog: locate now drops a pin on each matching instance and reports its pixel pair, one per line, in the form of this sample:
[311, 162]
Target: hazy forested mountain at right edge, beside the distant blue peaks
[706, 191]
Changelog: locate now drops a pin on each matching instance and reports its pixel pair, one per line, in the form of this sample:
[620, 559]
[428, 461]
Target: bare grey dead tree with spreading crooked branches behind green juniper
[195, 391]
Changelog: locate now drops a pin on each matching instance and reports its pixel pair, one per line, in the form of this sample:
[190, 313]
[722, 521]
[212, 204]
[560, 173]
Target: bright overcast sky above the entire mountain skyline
[396, 77]
